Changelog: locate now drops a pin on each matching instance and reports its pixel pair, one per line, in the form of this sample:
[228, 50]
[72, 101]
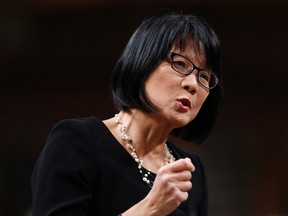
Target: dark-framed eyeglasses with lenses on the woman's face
[183, 65]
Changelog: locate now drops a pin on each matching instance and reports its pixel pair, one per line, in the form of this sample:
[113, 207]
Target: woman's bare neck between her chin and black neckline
[142, 140]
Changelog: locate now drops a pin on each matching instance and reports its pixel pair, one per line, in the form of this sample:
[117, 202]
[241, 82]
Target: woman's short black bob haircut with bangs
[148, 47]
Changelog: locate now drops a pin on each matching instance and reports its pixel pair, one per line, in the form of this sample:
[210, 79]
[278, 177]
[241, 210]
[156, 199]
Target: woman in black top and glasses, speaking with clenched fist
[165, 83]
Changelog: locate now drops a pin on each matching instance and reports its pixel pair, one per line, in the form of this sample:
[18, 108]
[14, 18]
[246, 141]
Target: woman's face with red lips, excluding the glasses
[178, 96]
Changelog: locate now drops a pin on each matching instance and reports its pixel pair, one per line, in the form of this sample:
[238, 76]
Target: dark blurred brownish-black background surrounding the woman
[56, 57]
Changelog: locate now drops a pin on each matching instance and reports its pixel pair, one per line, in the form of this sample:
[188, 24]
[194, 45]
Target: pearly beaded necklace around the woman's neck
[128, 143]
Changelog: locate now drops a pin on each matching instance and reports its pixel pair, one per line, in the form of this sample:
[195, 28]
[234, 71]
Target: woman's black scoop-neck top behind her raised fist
[83, 170]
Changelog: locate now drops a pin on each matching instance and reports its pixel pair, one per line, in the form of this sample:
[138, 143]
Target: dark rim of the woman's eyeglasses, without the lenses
[170, 55]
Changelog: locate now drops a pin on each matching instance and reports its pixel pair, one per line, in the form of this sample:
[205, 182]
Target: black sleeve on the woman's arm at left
[64, 174]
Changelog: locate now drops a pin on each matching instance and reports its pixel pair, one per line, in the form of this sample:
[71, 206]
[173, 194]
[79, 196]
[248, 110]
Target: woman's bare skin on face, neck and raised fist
[150, 131]
